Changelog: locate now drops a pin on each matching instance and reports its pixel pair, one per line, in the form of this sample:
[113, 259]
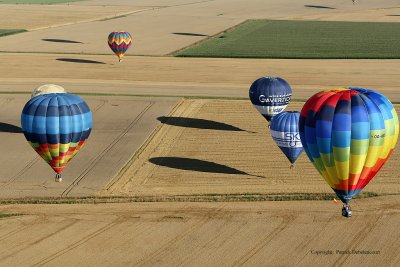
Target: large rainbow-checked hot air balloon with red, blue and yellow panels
[348, 134]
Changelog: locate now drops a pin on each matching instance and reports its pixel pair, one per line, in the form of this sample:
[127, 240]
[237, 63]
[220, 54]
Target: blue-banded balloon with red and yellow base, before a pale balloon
[56, 125]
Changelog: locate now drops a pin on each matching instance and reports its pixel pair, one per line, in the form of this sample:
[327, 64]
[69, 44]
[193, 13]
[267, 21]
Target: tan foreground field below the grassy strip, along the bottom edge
[202, 234]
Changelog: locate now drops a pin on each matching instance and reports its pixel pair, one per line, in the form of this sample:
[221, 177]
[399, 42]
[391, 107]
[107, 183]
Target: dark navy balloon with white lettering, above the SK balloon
[270, 96]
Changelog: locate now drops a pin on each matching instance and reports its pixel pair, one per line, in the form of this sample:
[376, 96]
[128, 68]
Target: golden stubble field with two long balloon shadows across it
[224, 147]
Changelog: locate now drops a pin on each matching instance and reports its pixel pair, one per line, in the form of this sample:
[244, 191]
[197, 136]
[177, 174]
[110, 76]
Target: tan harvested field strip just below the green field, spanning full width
[204, 77]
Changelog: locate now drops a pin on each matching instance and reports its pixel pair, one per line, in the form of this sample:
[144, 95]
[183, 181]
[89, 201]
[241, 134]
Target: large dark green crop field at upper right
[302, 39]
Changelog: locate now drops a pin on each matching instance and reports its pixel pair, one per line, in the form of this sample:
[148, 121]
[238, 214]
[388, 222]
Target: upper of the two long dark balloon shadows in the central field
[199, 124]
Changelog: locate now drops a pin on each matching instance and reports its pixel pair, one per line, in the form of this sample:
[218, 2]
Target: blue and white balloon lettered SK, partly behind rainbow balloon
[285, 133]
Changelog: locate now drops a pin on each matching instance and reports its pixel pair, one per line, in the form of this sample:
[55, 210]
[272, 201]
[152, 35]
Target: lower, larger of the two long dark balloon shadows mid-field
[197, 165]
